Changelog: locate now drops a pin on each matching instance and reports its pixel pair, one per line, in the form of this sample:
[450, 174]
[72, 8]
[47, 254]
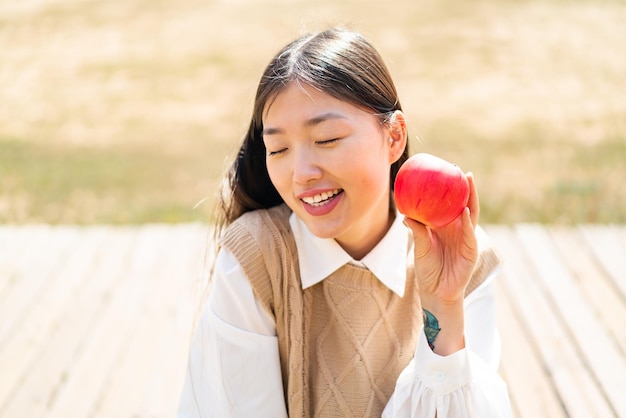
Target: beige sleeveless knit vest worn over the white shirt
[342, 342]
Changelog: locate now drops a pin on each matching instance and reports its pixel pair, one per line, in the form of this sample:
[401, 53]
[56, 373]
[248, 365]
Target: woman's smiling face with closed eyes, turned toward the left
[330, 160]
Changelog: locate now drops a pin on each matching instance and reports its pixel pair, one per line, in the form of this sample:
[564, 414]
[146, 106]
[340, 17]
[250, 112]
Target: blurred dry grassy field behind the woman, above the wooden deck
[124, 112]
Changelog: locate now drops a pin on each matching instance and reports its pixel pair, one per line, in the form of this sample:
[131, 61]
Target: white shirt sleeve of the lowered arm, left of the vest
[234, 366]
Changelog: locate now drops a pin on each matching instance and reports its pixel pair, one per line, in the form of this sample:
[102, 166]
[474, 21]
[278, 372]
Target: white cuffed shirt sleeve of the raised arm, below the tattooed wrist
[463, 385]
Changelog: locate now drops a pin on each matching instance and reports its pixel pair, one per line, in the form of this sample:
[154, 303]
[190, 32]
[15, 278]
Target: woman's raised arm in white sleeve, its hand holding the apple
[447, 378]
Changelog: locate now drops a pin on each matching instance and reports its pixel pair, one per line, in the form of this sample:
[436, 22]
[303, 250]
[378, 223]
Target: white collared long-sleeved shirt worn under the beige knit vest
[234, 366]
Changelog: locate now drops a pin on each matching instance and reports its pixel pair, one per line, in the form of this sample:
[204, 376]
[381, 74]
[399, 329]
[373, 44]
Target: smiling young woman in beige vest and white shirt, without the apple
[325, 301]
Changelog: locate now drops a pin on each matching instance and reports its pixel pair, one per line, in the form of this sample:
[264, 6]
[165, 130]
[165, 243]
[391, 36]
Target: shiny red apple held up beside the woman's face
[431, 190]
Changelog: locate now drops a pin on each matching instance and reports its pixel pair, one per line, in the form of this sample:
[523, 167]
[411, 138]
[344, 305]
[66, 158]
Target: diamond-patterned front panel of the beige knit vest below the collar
[361, 337]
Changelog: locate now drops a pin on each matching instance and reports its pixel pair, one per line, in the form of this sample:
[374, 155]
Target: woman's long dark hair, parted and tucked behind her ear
[338, 62]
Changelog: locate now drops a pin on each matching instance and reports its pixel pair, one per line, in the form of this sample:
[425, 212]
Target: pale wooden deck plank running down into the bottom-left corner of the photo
[67, 338]
